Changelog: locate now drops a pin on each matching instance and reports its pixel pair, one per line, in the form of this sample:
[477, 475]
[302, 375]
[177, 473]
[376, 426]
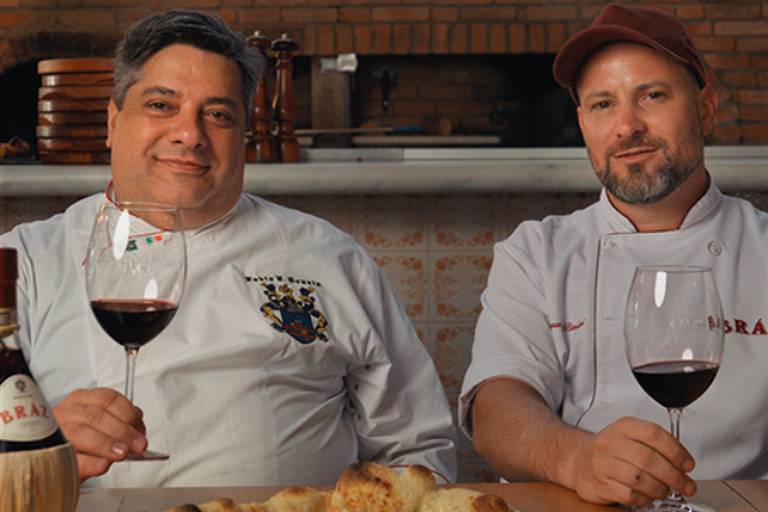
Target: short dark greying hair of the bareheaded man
[181, 26]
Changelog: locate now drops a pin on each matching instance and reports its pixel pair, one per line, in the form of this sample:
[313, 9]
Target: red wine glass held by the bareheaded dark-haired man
[135, 273]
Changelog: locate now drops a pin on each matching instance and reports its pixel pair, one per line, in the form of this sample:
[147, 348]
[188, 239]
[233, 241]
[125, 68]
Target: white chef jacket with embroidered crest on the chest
[232, 398]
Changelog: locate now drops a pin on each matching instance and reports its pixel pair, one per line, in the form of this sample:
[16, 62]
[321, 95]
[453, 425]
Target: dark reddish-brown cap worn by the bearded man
[626, 23]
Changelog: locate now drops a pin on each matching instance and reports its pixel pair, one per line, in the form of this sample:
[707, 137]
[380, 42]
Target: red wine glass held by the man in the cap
[674, 342]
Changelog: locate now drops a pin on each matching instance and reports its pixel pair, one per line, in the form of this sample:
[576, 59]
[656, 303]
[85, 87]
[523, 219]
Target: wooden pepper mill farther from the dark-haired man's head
[284, 104]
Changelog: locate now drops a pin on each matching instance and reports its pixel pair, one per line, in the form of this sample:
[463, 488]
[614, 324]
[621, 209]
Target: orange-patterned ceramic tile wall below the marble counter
[436, 251]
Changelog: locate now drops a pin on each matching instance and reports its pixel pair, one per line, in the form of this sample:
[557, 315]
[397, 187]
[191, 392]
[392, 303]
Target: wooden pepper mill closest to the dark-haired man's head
[261, 147]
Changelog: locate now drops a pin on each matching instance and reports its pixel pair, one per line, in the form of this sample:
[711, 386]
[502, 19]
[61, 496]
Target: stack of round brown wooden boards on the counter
[72, 110]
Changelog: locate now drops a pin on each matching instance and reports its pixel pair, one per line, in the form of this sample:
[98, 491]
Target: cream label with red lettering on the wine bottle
[24, 412]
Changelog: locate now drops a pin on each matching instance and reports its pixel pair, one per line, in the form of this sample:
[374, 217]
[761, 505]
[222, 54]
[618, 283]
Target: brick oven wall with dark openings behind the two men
[459, 66]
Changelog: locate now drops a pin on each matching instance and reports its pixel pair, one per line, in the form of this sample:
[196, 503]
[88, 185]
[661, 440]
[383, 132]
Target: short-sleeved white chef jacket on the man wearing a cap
[553, 318]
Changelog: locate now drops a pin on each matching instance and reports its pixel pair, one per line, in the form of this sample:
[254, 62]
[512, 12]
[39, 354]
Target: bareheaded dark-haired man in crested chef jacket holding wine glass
[231, 390]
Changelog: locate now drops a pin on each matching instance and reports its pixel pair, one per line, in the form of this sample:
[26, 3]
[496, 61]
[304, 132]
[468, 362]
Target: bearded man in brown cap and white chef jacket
[549, 394]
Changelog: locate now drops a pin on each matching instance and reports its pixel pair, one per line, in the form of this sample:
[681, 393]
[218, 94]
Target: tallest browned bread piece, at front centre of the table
[371, 487]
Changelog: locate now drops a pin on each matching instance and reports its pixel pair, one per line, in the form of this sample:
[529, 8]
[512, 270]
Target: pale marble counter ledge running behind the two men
[399, 171]
